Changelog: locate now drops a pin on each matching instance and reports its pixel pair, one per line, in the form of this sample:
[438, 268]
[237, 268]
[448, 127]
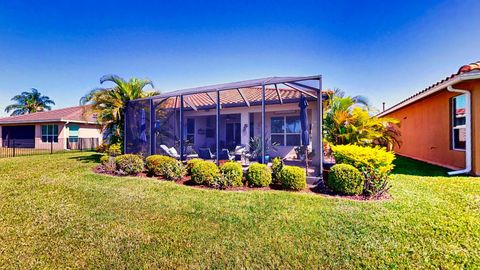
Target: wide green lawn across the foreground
[56, 213]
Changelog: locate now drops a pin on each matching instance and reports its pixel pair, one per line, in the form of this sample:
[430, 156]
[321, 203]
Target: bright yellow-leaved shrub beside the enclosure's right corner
[364, 157]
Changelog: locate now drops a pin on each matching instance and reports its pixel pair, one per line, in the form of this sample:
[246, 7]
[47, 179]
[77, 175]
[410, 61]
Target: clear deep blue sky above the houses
[384, 50]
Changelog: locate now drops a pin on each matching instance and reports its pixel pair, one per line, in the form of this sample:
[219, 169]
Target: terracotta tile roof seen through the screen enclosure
[232, 98]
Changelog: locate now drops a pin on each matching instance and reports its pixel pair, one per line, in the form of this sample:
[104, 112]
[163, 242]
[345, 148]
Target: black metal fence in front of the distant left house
[51, 145]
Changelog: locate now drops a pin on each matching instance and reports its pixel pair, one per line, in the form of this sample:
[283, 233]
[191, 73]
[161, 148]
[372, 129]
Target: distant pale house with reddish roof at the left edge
[56, 129]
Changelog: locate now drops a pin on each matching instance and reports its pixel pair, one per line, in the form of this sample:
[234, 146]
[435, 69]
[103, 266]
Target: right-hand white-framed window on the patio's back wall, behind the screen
[285, 130]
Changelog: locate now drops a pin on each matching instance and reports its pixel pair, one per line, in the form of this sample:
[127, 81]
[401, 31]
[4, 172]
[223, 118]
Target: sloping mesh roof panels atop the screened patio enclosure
[301, 84]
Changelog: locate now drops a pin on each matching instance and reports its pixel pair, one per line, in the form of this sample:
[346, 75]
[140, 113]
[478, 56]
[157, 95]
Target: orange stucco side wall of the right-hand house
[426, 131]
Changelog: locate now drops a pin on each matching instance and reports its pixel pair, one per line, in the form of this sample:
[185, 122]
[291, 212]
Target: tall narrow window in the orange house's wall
[459, 135]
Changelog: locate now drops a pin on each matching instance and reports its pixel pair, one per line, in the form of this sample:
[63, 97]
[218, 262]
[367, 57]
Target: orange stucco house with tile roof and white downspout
[441, 124]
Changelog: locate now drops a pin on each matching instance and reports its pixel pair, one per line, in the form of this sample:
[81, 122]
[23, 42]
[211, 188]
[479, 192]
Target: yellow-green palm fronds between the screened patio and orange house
[348, 120]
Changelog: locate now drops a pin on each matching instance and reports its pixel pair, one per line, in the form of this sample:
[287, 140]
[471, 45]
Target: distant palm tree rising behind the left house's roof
[29, 102]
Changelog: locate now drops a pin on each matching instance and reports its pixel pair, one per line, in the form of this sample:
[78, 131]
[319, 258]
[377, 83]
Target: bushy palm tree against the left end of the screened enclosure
[108, 104]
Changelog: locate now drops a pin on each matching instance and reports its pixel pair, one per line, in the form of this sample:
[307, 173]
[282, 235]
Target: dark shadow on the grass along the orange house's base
[408, 166]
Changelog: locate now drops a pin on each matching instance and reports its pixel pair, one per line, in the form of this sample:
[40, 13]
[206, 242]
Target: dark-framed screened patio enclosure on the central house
[240, 117]
